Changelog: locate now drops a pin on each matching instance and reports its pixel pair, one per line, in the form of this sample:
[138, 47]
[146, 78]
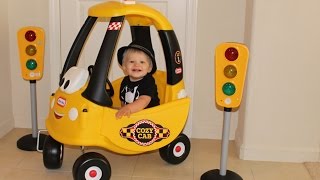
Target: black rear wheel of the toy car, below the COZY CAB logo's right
[177, 151]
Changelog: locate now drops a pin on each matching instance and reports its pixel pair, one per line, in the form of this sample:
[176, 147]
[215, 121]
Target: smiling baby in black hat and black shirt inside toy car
[138, 89]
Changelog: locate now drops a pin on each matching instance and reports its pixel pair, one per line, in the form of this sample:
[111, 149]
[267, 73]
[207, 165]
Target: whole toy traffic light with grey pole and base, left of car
[31, 51]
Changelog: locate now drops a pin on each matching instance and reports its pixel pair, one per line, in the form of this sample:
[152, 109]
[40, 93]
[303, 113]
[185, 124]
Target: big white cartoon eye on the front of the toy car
[74, 79]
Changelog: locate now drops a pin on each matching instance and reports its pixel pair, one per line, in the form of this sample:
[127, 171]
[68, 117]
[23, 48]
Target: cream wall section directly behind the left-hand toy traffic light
[27, 13]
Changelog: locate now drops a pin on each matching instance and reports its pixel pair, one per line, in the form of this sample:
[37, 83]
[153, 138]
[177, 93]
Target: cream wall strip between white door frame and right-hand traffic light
[218, 21]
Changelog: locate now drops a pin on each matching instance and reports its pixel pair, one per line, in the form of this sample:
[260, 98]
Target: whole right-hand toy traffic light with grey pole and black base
[231, 61]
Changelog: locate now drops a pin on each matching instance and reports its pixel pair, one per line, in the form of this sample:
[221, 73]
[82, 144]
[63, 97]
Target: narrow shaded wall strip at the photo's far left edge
[6, 120]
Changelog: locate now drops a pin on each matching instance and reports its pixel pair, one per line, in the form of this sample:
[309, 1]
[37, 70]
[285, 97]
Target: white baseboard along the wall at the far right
[298, 155]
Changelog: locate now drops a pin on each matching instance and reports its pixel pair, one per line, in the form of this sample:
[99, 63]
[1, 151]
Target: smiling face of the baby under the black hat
[136, 65]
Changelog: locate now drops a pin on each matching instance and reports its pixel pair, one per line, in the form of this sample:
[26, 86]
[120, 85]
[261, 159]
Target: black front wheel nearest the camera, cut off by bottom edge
[91, 166]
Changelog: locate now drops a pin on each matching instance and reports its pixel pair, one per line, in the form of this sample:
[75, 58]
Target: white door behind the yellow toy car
[67, 17]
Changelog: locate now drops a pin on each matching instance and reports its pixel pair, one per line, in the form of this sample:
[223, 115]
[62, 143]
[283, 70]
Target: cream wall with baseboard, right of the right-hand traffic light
[280, 117]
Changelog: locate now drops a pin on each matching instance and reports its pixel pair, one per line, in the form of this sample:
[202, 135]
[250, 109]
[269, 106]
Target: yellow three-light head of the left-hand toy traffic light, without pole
[31, 50]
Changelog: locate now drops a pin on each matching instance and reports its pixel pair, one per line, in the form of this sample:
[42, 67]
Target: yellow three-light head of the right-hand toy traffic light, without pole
[231, 61]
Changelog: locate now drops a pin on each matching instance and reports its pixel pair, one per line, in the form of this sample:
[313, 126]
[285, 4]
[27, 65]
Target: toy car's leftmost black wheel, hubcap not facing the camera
[52, 153]
